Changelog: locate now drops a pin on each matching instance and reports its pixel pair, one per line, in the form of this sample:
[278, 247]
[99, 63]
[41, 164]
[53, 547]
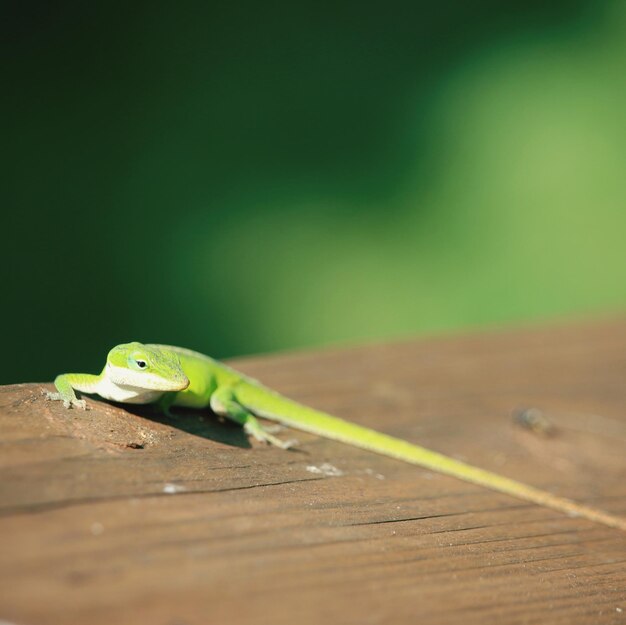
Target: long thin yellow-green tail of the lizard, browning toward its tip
[265, 403]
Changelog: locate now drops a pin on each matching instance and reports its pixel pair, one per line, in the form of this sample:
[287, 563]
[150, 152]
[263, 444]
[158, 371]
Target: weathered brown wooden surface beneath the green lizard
[117, 516]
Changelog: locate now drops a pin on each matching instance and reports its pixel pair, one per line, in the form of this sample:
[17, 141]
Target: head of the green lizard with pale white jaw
[146, 367]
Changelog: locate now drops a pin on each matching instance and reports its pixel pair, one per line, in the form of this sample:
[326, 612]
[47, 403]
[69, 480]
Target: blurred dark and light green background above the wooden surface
[249, 177]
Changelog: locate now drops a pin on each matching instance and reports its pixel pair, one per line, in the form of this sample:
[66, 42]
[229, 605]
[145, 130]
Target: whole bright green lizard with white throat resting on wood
[173, 376]
